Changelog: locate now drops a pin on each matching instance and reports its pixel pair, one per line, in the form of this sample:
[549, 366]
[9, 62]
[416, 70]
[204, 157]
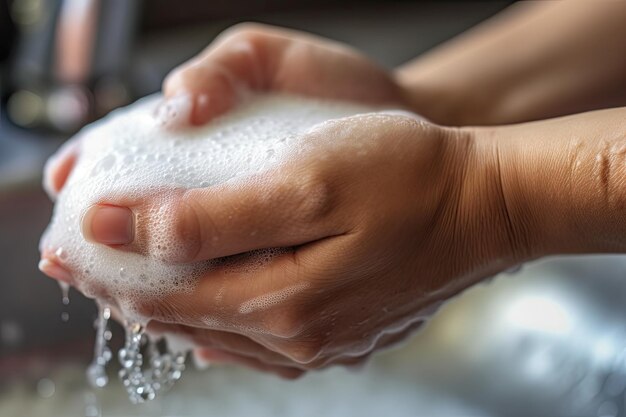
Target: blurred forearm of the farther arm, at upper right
[534, 61]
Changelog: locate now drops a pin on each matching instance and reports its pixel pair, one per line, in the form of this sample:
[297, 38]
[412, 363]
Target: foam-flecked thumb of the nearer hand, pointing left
[277, 209]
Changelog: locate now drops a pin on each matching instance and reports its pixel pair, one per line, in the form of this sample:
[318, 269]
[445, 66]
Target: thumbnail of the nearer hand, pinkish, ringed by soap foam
[109, 225]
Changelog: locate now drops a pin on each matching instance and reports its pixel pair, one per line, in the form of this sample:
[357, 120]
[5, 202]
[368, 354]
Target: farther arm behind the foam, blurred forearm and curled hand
[532, 62]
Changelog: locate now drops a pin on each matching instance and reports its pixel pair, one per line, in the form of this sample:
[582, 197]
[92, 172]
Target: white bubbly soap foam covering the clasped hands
[129, 156]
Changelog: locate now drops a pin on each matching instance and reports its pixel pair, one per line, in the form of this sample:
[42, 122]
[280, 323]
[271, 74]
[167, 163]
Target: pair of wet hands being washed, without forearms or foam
[381, 234]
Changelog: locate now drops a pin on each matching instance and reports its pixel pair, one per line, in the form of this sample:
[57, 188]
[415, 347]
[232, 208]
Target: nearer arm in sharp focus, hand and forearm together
[420, 213]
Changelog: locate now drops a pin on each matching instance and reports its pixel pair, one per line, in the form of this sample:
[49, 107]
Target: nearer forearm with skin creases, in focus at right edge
[563, 181]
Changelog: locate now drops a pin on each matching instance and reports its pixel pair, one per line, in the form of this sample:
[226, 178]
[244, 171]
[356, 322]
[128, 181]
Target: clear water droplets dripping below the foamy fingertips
[143, 383]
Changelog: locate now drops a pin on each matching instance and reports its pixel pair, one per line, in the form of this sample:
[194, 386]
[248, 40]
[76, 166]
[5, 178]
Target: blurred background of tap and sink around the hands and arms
[549, 340]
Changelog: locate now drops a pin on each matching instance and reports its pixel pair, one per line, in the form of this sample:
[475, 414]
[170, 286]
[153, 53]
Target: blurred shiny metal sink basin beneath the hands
[547, 341]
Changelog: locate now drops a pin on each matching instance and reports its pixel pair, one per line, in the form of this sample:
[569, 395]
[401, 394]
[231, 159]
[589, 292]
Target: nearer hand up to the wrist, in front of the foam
[382, 218]
